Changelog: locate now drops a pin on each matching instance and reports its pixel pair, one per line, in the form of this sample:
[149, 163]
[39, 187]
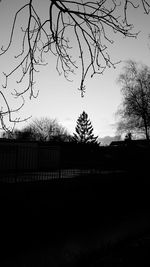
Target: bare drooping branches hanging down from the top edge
[88, 23]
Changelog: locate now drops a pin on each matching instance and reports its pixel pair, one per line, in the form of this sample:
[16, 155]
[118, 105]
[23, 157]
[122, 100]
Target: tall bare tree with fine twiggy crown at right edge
[135, 110]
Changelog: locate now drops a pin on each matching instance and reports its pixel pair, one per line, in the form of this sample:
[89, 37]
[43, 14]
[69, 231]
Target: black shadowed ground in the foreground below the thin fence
[93, 220]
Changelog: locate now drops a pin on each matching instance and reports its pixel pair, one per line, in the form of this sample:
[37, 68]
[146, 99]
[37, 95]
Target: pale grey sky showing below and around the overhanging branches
[61, 99]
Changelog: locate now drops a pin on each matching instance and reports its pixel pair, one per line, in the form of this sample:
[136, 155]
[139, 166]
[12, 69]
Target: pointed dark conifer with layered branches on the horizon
[84, 130]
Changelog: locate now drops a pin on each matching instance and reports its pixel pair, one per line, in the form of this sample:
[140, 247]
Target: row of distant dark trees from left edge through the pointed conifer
[47, 130]
